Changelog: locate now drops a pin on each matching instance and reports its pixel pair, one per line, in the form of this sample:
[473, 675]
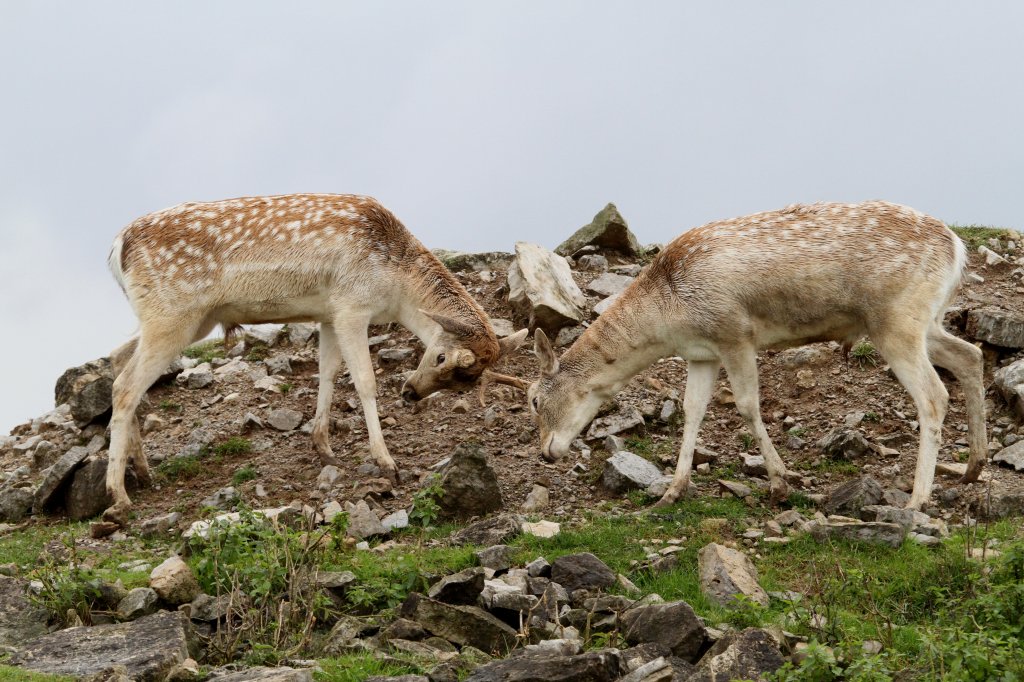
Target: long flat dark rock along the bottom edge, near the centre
[604, 666]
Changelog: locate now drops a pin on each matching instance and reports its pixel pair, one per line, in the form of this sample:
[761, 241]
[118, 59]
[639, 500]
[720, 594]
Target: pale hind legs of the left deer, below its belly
[158, 346]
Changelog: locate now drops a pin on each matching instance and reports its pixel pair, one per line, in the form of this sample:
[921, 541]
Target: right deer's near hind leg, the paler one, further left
[907, 353]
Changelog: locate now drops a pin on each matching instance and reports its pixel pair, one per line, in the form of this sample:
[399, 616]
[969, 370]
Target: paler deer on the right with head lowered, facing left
[719, 293]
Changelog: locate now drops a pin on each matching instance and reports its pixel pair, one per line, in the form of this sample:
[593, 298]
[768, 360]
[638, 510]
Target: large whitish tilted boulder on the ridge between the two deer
[542, 290]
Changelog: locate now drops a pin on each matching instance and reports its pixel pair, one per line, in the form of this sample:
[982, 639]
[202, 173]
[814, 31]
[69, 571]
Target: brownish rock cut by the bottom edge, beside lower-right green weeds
[751, 655]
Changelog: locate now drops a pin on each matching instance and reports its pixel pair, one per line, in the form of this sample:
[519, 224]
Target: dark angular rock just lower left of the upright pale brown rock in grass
[673, 625]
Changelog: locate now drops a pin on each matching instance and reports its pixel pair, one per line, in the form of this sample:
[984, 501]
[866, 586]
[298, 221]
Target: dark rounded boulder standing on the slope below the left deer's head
[470, 485]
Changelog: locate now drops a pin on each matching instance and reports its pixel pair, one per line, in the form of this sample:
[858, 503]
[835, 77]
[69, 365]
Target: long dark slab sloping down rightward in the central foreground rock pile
[466, 626]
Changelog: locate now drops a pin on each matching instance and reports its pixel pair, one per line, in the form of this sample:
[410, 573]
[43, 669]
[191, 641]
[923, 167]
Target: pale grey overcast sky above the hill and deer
[478, 123]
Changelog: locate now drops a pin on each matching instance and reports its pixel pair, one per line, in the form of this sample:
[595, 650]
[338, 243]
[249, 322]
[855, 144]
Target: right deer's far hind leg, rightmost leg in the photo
[966, 363]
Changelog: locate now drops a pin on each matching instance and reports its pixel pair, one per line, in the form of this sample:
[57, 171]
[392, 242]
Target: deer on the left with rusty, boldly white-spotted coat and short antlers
[342, 261]
